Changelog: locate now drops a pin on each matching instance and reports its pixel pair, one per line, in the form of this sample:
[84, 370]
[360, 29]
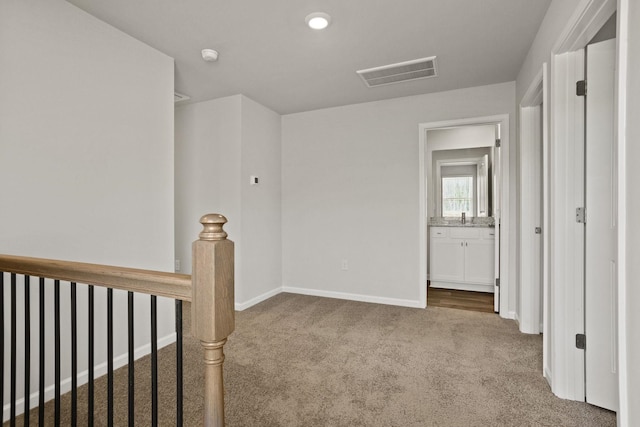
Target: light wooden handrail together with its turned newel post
[210, 289]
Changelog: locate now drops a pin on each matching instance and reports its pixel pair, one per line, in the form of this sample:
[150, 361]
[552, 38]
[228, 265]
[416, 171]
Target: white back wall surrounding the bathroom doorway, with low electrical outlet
[350, 192]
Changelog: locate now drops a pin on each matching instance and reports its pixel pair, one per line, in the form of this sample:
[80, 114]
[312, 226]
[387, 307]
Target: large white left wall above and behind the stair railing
[86, 155]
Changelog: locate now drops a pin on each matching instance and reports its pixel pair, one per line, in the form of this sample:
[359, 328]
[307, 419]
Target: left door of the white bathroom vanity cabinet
[447, 260]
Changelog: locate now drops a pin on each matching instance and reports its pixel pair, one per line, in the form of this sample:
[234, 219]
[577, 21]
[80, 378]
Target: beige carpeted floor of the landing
[306, 361]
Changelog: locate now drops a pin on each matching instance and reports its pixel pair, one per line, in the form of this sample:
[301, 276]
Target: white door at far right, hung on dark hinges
[600, 241]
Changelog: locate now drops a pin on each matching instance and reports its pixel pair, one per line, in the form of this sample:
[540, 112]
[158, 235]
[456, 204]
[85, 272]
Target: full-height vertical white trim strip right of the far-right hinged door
[620, 136]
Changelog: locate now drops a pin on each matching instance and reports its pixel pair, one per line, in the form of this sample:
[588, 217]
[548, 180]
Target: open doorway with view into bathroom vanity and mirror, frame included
[462, 198]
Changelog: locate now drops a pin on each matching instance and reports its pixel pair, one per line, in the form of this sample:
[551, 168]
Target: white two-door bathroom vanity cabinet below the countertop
[462, 258]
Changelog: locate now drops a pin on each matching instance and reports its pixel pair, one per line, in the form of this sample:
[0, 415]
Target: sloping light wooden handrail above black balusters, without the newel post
[171, 285]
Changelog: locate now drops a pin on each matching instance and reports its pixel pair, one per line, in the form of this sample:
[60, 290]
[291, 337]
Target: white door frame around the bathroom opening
[501, 254]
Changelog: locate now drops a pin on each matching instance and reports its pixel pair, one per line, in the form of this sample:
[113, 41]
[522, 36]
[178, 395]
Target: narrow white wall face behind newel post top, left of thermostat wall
[207, 162]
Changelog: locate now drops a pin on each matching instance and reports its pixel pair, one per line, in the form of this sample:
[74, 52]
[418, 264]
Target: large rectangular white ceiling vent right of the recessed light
[400, 72]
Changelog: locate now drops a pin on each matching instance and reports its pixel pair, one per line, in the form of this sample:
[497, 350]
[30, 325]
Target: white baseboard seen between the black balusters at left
[83, 377]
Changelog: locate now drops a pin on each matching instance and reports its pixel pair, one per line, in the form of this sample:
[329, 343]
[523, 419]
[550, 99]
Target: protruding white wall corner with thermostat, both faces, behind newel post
[219, 145]
